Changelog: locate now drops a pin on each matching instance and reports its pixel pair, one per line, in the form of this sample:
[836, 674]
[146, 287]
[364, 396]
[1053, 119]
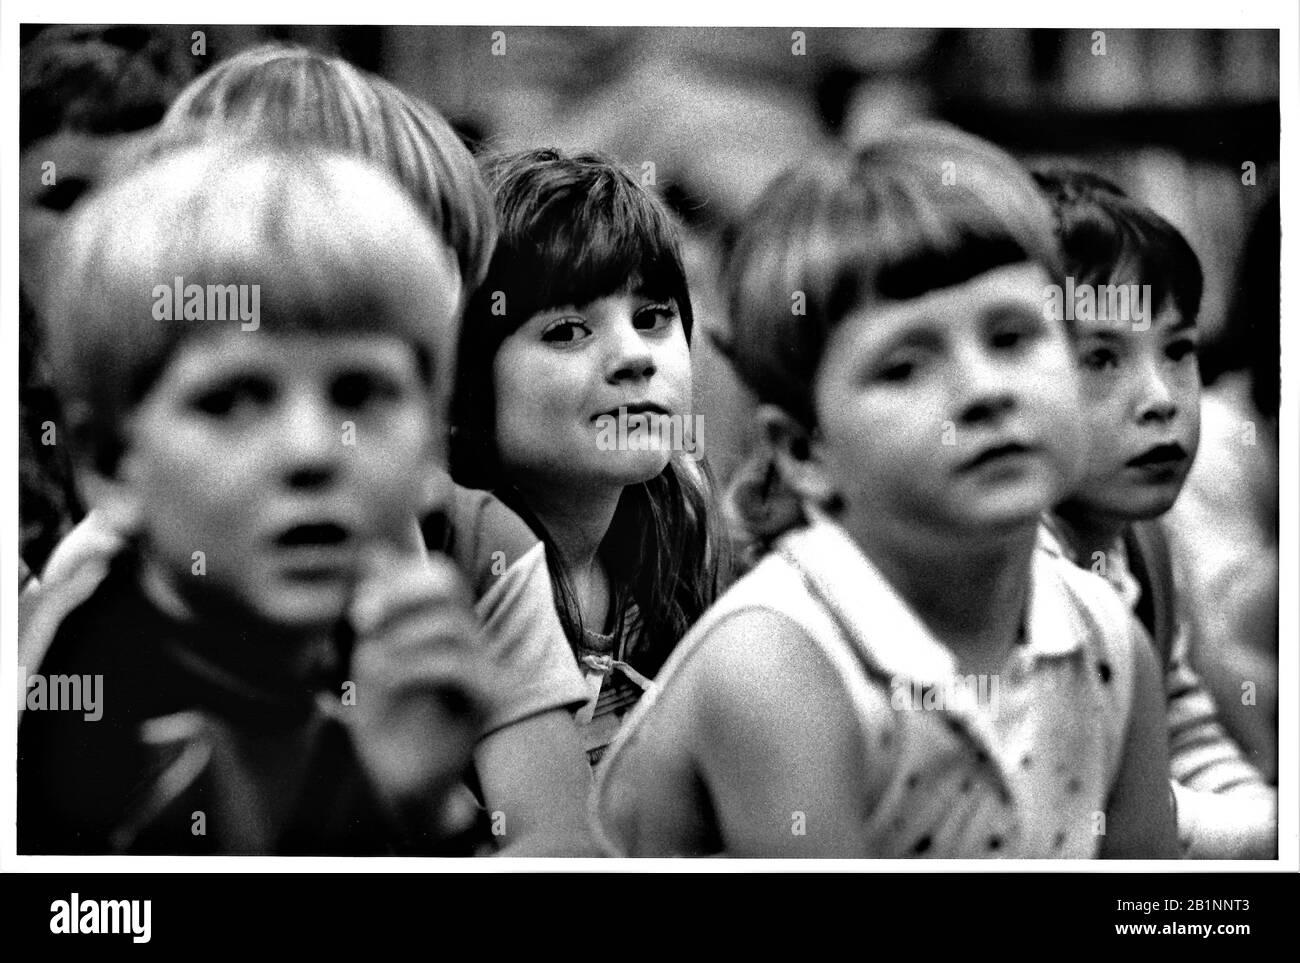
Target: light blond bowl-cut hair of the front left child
[333, 245]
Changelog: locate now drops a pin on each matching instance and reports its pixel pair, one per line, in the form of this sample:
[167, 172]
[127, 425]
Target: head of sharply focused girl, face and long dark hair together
[586, 311]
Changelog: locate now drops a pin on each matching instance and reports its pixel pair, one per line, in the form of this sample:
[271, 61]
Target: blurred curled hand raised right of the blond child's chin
[418, 682]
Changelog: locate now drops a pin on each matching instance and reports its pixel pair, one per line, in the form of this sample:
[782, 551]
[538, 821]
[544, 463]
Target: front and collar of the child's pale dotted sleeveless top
[1017, 765]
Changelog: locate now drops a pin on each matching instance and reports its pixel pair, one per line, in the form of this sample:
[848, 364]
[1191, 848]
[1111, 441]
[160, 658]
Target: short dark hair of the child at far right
[1107, 238]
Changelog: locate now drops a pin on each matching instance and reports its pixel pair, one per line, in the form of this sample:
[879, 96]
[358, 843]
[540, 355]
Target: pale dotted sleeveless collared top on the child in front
[1019, 765]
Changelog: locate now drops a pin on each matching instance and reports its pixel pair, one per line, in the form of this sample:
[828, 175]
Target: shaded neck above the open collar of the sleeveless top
[972, 597]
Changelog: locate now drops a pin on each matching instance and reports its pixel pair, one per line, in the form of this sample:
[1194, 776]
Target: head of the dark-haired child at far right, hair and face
[1137, 292]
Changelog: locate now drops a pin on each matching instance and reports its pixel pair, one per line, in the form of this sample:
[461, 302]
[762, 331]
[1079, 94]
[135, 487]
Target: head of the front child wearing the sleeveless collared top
[887, 311]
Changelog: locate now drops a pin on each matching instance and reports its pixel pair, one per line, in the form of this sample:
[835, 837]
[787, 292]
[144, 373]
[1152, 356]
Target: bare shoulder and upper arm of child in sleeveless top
[749, 725]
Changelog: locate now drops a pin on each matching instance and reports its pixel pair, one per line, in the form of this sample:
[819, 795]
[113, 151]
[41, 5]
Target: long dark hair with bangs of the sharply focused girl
[575, 229]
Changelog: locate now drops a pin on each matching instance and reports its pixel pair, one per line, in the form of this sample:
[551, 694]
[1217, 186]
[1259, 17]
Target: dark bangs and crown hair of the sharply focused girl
[574, 231]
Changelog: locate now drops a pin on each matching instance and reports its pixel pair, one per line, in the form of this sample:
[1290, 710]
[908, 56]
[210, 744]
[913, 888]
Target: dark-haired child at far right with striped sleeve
[1142, 405]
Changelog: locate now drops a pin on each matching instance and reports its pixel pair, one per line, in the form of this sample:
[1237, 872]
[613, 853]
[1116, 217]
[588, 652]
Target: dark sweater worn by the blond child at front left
[203, 745]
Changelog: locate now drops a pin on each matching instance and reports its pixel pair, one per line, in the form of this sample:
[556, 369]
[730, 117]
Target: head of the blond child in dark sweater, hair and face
[255, 350]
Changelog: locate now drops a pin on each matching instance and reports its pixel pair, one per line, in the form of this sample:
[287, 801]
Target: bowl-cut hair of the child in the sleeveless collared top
[928, 209]
